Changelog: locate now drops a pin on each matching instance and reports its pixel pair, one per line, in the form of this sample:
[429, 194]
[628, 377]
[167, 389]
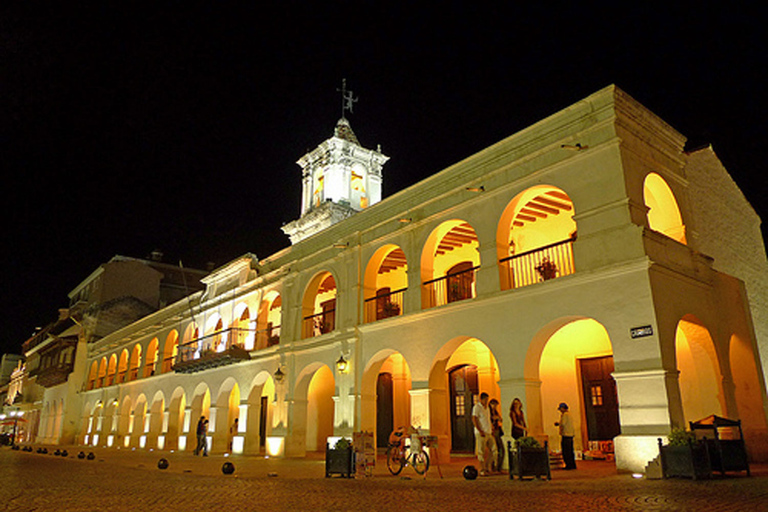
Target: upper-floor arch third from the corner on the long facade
[384, 283]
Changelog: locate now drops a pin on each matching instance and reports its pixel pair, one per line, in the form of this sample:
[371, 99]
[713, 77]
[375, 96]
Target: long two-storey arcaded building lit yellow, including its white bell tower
[587, 259]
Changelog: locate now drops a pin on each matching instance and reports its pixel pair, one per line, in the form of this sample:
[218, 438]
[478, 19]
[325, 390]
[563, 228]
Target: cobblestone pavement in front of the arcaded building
[130, 480]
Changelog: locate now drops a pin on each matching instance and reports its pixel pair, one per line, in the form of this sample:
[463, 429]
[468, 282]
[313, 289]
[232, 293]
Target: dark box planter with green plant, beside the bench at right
[684, 456]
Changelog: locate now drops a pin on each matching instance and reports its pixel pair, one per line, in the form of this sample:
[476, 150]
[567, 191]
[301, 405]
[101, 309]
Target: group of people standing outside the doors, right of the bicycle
[488, 423]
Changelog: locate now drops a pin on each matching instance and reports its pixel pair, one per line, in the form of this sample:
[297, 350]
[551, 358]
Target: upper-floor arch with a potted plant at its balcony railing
[534, 238]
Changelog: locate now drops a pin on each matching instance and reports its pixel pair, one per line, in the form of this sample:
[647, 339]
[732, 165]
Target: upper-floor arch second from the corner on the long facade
[449, 259]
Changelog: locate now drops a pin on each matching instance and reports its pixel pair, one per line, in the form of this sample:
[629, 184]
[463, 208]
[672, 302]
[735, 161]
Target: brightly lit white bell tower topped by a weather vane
[339, 178]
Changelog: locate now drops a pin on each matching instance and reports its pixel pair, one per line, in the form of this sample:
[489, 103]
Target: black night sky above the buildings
[128, 127]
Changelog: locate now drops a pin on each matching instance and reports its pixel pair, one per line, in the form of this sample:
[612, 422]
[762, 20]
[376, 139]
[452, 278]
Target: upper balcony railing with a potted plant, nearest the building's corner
[542, 264]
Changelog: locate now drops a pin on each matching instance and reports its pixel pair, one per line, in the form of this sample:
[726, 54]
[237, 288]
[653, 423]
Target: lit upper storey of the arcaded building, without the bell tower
[593, 187]
